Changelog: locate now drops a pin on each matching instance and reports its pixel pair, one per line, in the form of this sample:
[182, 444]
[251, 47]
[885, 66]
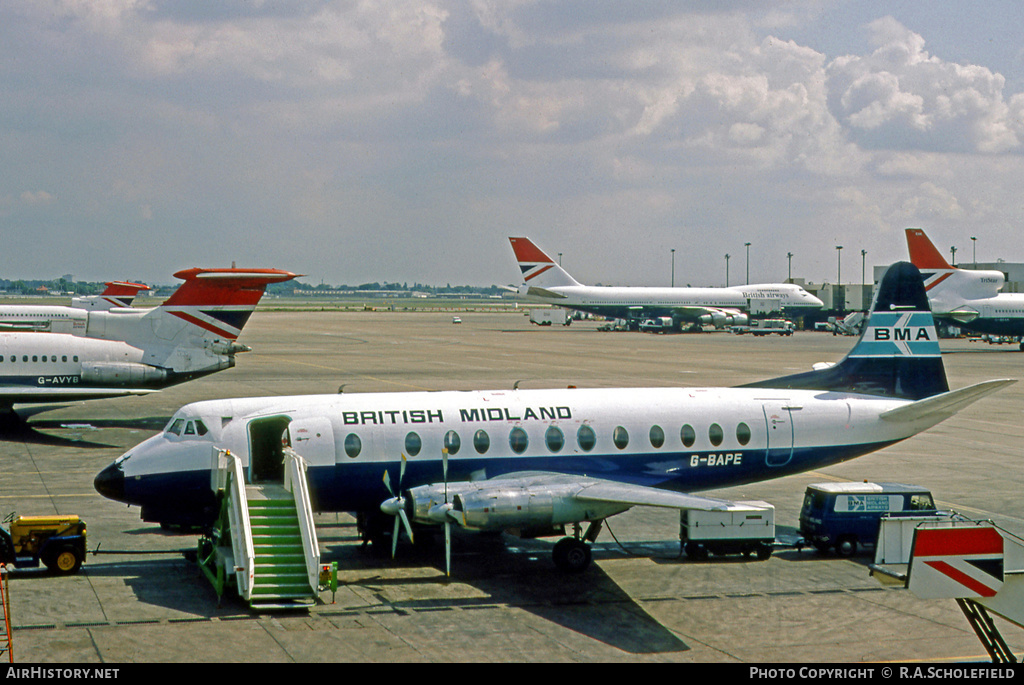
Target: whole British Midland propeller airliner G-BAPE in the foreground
[535, 461]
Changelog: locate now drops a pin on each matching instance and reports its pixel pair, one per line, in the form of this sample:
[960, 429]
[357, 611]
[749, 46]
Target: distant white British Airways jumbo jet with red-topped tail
[546, 282]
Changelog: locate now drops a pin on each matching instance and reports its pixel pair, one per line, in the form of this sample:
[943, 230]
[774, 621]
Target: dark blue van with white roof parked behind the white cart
[846, 517]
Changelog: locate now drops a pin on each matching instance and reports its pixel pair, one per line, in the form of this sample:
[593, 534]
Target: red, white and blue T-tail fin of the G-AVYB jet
[221, 302]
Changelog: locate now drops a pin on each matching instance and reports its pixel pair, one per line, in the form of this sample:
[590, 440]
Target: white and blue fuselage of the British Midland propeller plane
[684, 440]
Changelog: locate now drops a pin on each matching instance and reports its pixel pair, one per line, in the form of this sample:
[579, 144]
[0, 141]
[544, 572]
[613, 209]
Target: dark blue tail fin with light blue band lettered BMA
[898, 356]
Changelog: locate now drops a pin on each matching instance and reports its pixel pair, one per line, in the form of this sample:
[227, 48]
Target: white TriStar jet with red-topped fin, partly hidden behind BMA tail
[971, 299]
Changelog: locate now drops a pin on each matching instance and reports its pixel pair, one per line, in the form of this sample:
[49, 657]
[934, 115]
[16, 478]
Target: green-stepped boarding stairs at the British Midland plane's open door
[265, 543]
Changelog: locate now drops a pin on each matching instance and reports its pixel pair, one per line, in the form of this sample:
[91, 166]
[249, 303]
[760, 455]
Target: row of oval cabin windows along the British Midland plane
[554, 440]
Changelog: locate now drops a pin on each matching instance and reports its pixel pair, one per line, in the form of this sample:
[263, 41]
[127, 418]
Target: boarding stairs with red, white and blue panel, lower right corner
[977, 564]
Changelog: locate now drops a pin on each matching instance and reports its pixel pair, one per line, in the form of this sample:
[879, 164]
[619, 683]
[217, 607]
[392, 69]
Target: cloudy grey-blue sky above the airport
[405, 141]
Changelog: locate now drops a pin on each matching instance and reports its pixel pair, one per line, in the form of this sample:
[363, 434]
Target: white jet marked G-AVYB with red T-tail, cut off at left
[124, 352]
